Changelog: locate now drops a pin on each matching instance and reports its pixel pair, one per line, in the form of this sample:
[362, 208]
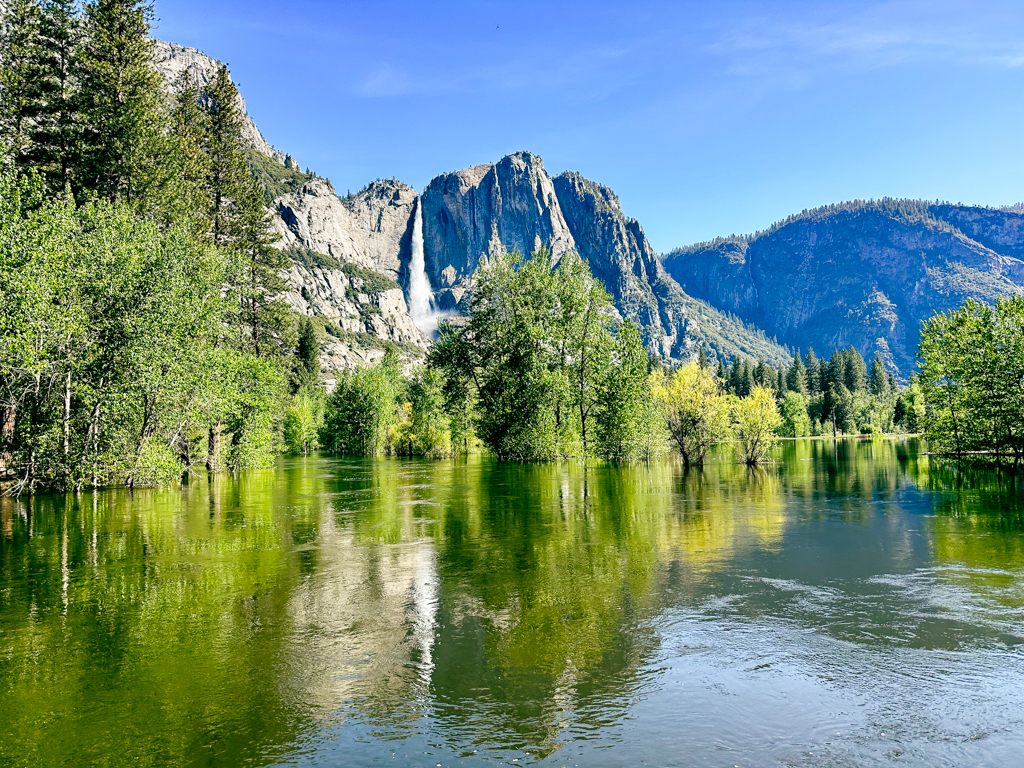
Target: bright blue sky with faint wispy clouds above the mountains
[707, 118]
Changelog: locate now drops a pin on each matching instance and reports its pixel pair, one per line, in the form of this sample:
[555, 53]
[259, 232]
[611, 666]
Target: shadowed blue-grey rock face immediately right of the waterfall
[515, 205]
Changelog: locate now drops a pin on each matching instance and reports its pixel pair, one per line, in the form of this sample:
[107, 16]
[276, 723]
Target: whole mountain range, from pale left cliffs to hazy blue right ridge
[860, 274]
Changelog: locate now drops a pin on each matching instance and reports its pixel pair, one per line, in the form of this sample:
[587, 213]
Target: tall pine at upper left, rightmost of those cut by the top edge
[119, 101]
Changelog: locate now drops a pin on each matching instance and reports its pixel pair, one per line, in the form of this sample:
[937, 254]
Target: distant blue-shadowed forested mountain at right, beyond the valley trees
[863, 274]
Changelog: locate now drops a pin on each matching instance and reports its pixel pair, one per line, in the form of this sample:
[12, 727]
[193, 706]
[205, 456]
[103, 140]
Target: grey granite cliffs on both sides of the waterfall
[468, 216]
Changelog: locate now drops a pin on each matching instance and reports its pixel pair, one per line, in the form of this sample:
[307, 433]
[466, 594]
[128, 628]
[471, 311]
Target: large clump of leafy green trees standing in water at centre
[533, 356]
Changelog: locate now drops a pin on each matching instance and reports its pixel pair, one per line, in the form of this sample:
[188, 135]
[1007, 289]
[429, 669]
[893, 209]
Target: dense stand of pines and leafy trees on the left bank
[143, 329]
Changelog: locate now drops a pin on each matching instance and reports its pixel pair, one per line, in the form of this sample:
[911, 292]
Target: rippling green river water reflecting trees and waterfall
[847, 607]
